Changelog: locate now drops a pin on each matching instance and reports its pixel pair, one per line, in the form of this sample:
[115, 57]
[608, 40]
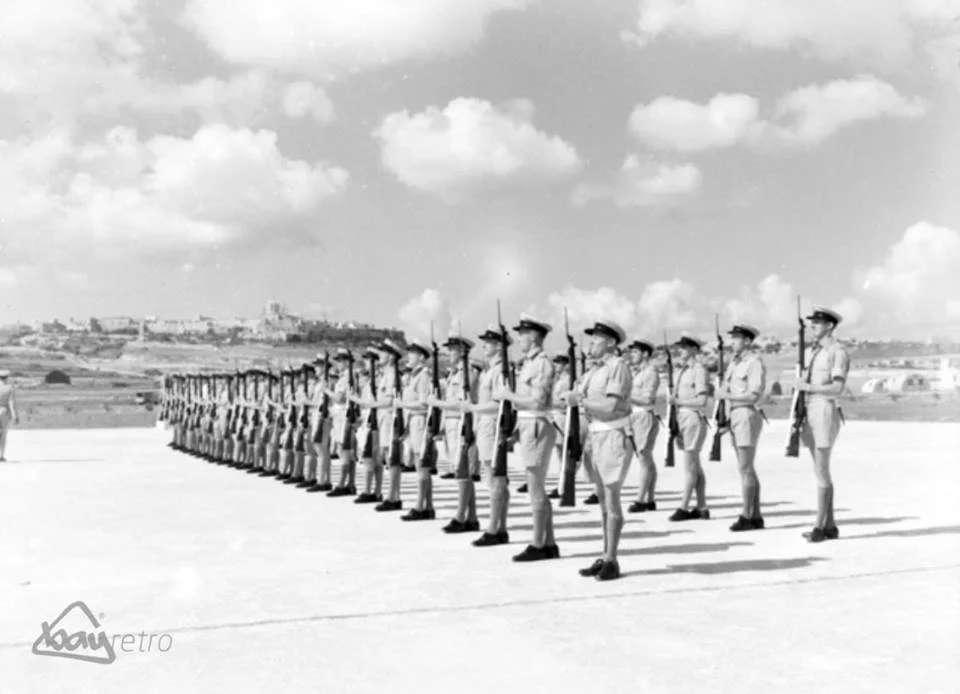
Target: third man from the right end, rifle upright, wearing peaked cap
[689, 398]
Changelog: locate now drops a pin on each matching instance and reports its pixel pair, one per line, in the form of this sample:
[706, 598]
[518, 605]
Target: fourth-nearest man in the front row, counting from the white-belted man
[462, 455]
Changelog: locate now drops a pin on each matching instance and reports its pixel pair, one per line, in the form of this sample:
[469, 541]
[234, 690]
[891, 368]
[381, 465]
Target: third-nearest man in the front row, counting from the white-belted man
[486, 409]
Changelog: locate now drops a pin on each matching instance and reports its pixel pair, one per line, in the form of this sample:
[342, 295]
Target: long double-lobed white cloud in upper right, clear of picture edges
[805, 116]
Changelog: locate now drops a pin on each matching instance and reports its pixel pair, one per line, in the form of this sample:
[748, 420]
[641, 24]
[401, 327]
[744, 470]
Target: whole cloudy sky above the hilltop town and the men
[654, 163]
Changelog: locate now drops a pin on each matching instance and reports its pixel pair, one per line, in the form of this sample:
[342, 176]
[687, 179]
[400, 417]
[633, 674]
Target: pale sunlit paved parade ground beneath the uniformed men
[242, 584]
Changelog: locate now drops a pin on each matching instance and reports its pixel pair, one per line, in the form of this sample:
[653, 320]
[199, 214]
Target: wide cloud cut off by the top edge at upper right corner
[878, 32]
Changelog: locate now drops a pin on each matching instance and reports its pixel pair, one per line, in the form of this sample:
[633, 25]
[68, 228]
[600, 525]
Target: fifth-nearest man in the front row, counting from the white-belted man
[416, 393]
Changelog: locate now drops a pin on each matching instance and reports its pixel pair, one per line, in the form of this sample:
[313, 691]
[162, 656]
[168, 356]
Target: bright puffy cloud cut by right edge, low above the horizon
[918, 282]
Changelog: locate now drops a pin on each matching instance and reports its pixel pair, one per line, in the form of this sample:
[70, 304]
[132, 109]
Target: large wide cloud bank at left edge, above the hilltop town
[218, 187]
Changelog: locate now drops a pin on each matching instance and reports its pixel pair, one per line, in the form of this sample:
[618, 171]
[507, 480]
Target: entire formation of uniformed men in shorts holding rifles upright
[391, 411]
